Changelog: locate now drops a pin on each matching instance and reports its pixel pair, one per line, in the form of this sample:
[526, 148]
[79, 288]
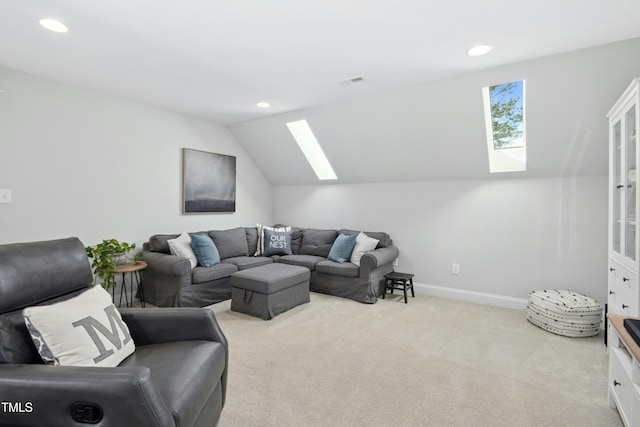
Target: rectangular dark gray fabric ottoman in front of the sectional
[269, 290]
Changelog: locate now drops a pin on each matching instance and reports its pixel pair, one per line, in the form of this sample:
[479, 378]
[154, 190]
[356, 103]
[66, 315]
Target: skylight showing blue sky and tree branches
[504, 112]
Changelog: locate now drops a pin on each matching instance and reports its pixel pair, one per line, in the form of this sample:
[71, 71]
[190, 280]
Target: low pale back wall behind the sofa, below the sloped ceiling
[509, 236]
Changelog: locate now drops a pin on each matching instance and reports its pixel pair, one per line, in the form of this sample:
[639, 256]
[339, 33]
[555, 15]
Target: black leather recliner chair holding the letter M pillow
[177, 375]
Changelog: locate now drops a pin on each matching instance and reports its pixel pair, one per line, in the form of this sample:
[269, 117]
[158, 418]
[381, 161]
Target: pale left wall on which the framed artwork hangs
[85, 164]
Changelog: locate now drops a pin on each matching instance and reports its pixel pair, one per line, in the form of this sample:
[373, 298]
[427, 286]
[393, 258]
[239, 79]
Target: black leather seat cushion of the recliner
[185, 372]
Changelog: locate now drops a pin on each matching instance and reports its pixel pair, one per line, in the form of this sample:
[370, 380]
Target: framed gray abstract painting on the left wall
[208, 182]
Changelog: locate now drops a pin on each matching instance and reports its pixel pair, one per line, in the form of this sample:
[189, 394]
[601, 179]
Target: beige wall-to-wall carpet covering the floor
[432, 362]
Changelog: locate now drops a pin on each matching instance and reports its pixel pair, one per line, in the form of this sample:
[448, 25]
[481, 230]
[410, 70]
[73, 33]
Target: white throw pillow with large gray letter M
[86, 330]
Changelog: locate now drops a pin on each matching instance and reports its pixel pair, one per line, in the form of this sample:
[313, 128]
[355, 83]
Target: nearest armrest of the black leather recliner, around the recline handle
[46, 394]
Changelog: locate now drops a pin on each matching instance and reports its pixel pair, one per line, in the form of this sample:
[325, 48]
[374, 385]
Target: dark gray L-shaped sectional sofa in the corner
[169, 281]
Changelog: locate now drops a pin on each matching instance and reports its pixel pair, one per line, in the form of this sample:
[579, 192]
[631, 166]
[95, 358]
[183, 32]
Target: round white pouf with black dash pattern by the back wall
[564, 312]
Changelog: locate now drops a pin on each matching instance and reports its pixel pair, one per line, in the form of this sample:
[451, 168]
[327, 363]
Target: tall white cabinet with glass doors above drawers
[623, 203]
